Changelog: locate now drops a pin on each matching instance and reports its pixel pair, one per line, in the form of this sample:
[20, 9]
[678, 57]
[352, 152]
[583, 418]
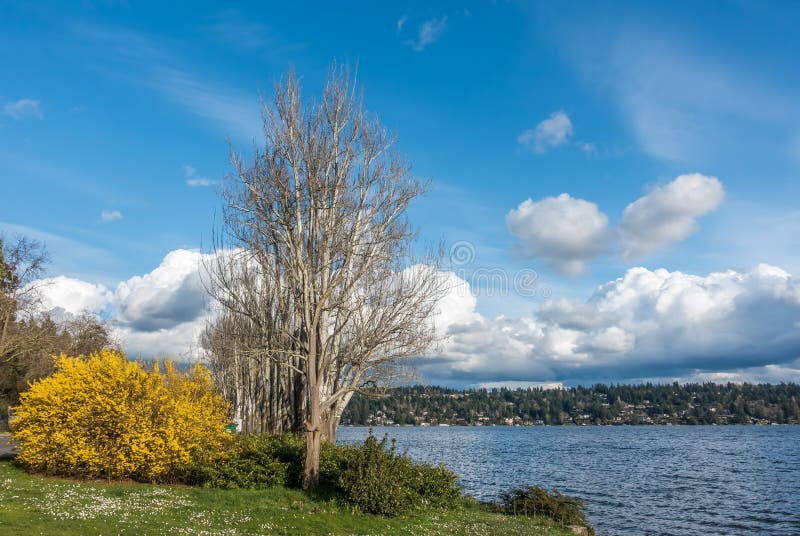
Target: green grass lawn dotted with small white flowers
[34, 505]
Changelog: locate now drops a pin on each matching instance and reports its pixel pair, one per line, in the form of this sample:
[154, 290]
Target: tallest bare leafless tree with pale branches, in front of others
[325, 270]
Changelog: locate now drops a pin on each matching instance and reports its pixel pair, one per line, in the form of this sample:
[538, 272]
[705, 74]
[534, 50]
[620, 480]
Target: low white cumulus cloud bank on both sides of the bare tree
[646, 324]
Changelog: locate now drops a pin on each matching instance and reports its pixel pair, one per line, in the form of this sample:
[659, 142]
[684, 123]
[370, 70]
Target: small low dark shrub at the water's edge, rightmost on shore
[537, 501]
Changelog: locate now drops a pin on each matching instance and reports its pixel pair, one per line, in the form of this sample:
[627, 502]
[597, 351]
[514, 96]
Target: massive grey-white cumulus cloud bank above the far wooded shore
[645, 324]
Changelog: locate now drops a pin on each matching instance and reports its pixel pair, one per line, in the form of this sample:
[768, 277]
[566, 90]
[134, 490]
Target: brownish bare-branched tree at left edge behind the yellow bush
[28, 339]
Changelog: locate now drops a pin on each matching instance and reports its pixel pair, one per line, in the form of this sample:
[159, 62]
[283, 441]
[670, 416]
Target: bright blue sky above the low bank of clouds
[109, 111]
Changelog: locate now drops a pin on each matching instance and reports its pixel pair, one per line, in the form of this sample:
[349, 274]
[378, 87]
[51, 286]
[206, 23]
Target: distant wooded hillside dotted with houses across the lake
[692, 403]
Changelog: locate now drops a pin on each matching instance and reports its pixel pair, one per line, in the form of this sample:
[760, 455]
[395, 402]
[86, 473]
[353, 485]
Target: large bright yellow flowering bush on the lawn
[105, 416]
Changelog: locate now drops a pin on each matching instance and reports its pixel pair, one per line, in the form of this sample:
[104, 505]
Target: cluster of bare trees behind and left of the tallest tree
[265, 386]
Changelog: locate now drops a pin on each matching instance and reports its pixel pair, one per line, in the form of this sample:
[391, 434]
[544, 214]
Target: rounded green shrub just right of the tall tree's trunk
[381, 481]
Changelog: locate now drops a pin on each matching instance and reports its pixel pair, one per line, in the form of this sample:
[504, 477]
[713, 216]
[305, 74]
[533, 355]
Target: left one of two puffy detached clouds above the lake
[563, 230]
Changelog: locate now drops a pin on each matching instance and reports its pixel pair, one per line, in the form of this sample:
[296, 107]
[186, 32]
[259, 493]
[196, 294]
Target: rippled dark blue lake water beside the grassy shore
[635, 479]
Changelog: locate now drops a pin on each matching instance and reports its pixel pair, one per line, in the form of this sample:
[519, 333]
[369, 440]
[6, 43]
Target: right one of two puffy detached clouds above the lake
[668, 214]
